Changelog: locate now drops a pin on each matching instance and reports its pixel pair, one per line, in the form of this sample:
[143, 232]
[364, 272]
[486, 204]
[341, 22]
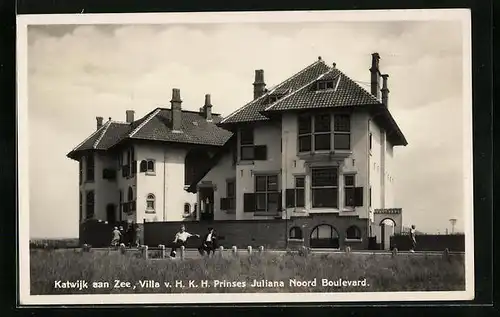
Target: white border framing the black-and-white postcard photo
[23, 21]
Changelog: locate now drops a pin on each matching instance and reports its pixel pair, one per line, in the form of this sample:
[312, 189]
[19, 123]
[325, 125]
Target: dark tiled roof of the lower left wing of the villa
[156, 125]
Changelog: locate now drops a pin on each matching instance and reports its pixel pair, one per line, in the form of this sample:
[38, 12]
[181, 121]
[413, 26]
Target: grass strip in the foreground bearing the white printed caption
[52, 269]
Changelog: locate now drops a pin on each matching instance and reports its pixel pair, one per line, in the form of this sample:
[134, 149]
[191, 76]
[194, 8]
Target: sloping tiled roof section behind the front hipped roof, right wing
[251, 111]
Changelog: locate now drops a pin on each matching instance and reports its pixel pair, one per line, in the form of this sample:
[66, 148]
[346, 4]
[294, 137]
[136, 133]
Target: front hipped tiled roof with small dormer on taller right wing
[345, 93]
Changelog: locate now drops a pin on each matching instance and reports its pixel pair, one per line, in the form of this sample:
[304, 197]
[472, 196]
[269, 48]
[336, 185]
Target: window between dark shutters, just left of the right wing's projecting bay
[267, 193]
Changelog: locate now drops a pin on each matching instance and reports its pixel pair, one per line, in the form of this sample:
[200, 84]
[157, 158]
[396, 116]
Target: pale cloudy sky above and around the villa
[78, 72]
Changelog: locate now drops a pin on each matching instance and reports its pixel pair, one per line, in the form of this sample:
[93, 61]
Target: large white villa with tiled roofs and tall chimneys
[317, 146]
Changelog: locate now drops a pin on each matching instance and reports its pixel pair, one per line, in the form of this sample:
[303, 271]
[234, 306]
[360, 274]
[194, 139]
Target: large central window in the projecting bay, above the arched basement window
[324, 187]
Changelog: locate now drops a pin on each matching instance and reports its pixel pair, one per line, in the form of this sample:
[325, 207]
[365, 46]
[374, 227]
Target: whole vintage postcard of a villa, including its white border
[245, 157]
